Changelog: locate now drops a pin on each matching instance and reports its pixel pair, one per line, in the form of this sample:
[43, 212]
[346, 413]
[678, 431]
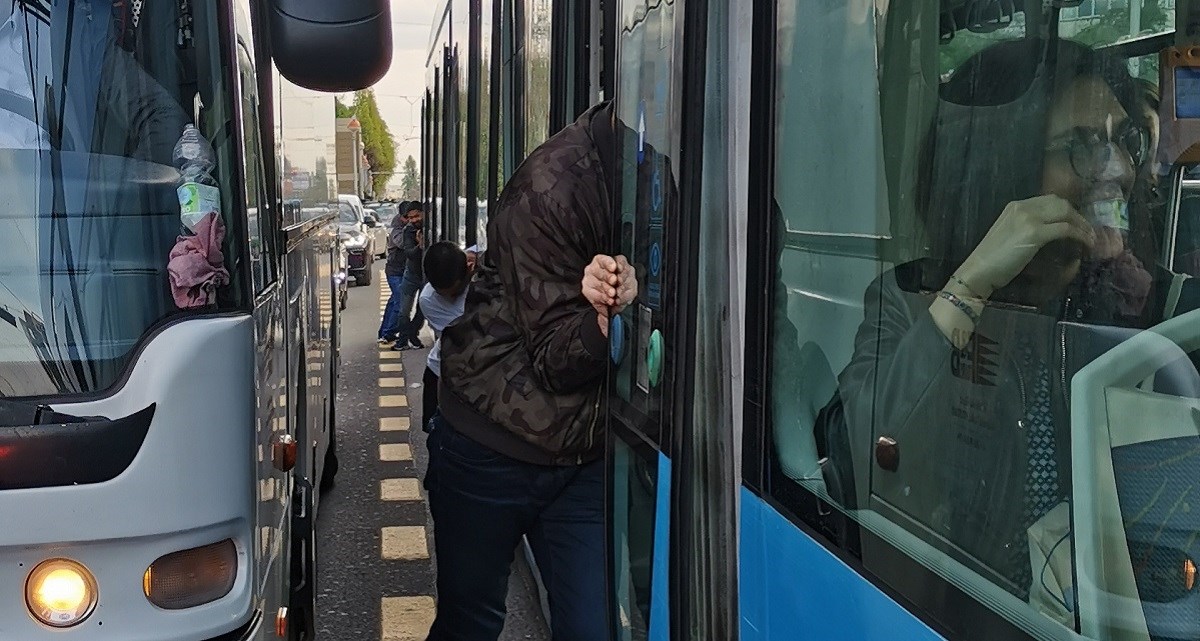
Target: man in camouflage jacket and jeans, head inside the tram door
[517, 450]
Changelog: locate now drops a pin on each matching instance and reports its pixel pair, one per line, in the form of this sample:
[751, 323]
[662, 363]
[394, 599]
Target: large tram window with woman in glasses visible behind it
[969, 400]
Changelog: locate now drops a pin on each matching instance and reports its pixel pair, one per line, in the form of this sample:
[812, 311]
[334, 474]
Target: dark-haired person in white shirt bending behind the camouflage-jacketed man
[442, 302]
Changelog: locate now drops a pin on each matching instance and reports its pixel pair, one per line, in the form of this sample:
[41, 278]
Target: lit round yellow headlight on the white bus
[61, 592]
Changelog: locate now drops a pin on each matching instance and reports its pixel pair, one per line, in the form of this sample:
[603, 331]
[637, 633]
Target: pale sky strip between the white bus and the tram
[399, 94]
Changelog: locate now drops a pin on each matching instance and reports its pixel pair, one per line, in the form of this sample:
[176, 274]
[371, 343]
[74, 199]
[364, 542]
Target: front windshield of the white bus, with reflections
[94, 97]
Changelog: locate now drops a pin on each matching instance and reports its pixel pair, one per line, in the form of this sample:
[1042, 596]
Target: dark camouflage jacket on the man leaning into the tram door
[523, 369]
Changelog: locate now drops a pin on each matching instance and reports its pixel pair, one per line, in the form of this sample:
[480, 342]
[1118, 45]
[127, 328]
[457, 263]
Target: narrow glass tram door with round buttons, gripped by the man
[645, 346]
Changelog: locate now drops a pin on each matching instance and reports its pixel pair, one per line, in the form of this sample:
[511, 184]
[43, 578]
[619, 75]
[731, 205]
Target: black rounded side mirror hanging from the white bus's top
[328, 46]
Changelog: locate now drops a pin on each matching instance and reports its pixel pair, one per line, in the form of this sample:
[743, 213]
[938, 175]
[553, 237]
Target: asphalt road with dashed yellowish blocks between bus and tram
[376, 572]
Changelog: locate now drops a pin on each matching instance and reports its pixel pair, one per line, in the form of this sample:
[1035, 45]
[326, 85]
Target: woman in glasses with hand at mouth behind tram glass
[956, 398]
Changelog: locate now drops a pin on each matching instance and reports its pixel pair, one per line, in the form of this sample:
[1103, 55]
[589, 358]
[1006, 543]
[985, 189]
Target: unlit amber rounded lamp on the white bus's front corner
[193, 578]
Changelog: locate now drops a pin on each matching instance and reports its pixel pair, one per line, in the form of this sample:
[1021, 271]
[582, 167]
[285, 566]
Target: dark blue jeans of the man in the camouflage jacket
[483, 504]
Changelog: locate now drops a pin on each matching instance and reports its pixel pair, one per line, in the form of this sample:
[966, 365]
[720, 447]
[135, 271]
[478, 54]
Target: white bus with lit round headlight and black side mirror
[167, 372]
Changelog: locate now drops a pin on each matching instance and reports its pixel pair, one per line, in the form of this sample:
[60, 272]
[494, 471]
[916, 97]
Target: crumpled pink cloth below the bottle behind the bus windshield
[196, 267]
